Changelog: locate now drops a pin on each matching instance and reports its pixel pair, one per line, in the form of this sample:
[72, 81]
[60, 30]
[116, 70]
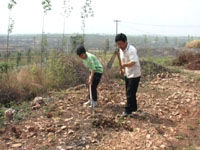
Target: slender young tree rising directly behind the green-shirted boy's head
[86, 12]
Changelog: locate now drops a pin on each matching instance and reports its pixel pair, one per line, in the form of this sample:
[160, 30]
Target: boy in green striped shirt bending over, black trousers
[96, 70]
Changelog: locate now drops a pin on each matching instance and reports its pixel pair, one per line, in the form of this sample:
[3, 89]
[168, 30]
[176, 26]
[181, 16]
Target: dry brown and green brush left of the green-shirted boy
[60, 72]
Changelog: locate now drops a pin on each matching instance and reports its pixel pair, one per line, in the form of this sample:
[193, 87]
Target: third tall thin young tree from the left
[67, 9]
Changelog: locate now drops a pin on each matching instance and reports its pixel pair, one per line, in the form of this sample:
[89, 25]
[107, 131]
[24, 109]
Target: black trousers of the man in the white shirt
[131, 90]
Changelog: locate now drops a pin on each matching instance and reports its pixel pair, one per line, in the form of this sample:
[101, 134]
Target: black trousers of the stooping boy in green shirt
[95, 82]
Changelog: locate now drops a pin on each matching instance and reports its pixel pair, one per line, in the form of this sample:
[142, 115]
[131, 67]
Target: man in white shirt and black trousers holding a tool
[130, 68]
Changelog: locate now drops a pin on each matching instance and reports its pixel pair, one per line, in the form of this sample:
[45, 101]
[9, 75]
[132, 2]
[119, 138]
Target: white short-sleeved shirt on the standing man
[130, 54]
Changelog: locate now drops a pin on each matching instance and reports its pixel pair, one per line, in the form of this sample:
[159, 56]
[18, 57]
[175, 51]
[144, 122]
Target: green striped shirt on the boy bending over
[93, 63]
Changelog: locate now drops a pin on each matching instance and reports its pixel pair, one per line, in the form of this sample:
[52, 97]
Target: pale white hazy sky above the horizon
[138, 17]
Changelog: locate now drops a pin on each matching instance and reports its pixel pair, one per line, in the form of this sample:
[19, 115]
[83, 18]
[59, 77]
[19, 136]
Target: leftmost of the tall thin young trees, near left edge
[11, 5]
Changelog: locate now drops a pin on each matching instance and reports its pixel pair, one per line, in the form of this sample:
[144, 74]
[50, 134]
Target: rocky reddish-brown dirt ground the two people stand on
[170, 119]
